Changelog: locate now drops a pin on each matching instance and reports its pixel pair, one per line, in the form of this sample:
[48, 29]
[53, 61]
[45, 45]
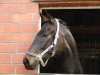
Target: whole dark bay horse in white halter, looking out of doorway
[54, 48]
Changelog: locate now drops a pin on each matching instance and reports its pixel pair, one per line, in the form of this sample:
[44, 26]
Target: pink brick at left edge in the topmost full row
[6, 8]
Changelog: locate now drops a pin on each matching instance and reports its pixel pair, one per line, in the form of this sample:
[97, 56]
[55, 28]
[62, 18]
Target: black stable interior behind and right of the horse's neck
[85, 27]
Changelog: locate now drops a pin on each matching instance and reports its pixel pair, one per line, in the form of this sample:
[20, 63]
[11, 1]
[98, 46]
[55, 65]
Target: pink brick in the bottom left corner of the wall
[7, 69]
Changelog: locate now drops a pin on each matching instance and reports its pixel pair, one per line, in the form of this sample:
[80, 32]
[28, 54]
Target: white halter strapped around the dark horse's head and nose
[39, 56]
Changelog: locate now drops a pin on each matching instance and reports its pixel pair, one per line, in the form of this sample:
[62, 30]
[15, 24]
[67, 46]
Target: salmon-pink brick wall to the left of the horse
[18, 26]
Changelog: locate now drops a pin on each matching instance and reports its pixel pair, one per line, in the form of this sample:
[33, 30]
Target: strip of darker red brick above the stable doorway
[68, 3]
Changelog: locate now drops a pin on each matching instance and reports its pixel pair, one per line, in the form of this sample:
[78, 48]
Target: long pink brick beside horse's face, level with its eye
[22, 37]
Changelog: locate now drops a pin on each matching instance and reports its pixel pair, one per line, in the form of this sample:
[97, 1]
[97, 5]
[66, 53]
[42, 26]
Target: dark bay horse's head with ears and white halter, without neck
[44, 44]
